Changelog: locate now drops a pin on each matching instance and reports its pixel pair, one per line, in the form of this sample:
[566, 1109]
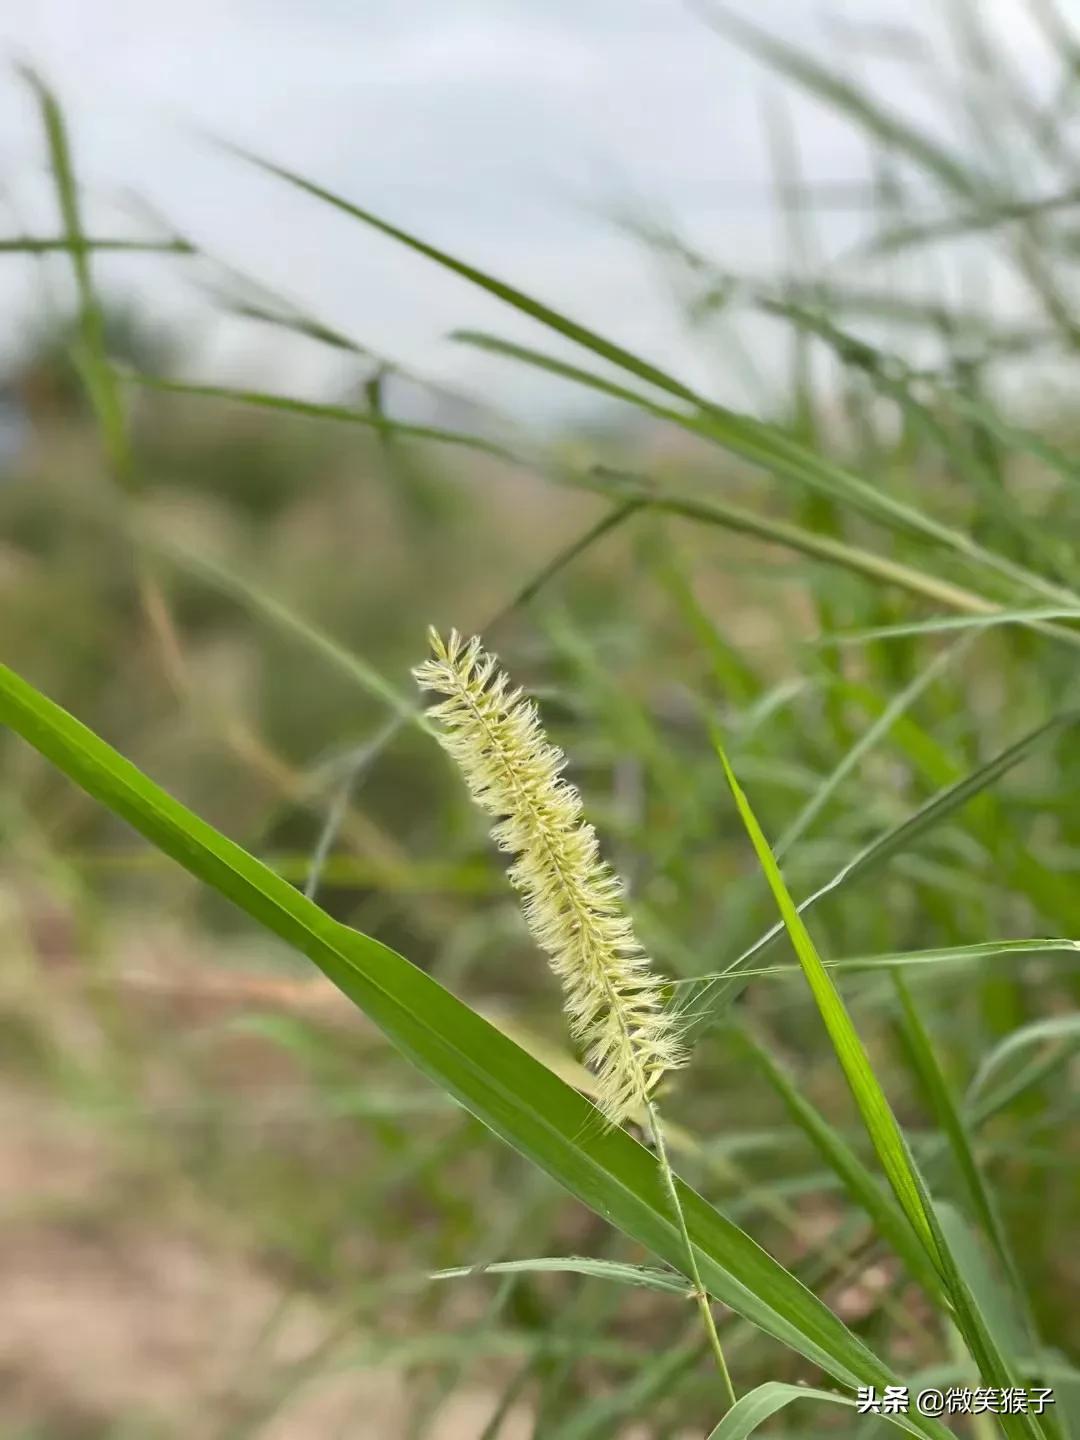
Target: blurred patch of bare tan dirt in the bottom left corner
[150, 1324]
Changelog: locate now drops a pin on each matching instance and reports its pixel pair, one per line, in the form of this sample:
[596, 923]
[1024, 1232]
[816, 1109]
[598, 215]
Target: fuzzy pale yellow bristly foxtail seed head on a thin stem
[572, 901]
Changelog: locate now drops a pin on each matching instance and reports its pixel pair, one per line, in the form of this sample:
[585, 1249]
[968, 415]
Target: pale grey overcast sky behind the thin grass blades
[503, 130]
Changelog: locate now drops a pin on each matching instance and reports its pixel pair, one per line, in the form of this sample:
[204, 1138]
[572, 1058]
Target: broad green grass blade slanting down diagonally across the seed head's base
[518, 1098]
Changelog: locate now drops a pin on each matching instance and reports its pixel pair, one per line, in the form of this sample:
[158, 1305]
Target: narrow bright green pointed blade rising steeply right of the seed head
[878, 1115]
